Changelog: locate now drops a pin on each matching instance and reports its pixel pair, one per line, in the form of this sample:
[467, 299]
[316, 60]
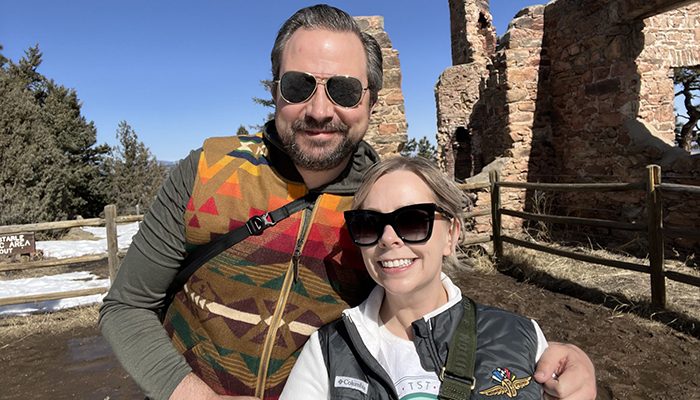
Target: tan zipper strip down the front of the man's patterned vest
[290, 279]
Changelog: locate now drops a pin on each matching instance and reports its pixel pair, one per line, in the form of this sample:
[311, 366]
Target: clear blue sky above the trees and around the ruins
[180, 71]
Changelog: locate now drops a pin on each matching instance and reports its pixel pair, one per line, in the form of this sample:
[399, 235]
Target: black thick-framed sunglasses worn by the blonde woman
[413, 224]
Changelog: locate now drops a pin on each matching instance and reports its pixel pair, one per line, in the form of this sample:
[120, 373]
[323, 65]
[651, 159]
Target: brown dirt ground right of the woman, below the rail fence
[634, 357]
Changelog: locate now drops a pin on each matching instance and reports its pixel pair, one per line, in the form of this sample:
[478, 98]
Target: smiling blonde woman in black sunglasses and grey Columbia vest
[406, 219]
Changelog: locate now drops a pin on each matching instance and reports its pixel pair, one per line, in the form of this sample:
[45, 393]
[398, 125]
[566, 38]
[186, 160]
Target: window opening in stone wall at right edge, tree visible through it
[686, 82]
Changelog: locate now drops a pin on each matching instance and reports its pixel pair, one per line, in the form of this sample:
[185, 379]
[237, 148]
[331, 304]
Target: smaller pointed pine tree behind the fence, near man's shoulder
[135, 174]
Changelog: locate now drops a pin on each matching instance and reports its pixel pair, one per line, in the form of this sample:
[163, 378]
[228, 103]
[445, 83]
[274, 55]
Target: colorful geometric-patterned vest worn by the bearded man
[242, 318]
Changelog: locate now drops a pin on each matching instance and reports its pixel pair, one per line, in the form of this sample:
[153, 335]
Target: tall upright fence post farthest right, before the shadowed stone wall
[656, 238]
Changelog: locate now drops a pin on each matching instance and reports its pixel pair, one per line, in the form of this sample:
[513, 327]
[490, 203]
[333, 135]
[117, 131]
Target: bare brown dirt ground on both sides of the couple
[634, 358]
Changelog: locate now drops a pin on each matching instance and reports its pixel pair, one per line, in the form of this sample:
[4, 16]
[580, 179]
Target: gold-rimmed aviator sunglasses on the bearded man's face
[298, 87]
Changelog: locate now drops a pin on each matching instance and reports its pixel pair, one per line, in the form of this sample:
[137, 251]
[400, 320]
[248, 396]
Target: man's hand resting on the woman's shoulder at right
[566, 373]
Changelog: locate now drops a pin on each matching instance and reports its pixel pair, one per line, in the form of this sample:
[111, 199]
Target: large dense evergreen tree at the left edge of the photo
[50, 164]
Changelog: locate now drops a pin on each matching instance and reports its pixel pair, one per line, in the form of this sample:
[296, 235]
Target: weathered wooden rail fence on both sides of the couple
[654, 228]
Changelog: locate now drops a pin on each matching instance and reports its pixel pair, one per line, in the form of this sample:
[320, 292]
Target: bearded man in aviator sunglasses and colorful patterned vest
[238, 324]
